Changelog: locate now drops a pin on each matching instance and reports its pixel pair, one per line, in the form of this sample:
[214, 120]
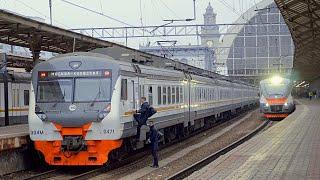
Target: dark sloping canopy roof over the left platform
[22, 31]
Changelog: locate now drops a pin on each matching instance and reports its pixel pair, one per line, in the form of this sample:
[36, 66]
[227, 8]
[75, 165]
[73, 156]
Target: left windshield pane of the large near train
[58, 90]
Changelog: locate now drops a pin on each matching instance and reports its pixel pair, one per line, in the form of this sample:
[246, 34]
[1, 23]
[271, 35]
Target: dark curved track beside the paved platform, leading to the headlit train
[202, 163]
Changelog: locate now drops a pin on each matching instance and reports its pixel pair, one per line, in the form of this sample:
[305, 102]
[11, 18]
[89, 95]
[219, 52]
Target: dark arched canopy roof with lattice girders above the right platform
[303, 20]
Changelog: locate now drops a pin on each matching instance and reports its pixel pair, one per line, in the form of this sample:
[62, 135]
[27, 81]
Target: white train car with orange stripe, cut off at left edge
[18, 98]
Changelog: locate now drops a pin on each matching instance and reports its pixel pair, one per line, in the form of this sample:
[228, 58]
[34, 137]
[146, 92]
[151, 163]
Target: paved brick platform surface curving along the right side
[288, 150]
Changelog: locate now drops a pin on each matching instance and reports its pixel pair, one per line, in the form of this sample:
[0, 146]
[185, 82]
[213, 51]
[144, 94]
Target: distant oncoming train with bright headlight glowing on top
[275, 97]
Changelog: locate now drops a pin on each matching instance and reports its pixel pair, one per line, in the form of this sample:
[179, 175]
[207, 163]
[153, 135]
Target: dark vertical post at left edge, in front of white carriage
[4, 72]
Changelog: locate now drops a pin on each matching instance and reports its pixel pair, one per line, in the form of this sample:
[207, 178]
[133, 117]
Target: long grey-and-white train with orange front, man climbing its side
[82, 105]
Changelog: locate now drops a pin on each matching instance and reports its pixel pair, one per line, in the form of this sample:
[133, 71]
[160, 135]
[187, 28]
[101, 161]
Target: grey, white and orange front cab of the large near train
[68, 128]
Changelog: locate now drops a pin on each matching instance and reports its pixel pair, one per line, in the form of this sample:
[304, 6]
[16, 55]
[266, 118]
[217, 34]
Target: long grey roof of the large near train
[126, 60]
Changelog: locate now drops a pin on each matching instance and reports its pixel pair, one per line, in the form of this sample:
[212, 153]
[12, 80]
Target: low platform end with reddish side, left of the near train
[14, 136]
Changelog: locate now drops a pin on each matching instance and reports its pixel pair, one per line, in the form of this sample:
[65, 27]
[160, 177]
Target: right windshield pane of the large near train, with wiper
[92, 89]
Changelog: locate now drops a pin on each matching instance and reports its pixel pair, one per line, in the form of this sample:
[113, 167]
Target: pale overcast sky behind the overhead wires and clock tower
[152, 12]
